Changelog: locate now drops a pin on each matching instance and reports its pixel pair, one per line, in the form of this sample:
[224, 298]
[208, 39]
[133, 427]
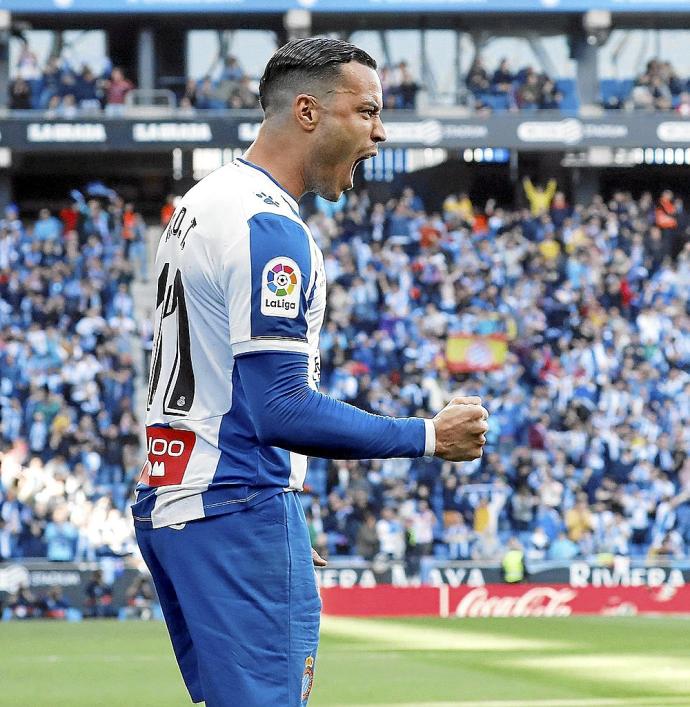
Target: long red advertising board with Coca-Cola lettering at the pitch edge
[506, 600]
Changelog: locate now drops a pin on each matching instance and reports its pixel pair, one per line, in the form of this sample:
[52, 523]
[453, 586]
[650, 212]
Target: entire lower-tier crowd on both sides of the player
[590, 407]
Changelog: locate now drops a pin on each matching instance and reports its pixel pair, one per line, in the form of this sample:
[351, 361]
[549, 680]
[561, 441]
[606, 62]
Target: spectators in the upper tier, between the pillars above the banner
[65, 86]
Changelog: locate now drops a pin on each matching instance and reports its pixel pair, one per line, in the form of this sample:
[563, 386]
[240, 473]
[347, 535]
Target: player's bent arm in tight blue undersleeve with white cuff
[287, 413]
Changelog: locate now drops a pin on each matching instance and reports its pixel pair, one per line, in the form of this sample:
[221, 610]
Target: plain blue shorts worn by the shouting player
[238, 592]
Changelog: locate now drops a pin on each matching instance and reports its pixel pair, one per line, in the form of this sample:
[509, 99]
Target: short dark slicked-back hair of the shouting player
[304, 60]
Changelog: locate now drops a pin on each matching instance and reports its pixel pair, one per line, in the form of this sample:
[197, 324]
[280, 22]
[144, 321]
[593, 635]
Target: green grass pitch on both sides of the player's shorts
[523, 662]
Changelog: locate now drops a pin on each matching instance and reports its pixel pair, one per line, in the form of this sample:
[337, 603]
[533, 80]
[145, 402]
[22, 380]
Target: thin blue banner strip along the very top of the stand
[28, 7]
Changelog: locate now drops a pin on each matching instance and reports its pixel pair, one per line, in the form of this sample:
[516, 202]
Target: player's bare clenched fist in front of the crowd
[460, 429]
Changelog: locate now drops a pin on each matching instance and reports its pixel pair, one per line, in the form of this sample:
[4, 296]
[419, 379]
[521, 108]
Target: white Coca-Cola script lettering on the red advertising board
[539, 601]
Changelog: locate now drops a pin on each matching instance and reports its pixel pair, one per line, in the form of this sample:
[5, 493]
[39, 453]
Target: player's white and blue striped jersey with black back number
[238, 272]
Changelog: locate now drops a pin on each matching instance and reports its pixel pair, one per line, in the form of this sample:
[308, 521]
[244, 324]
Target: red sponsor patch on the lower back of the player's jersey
[168, 452]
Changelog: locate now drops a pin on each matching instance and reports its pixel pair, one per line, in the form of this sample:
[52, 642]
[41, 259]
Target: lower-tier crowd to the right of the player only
[587, 451]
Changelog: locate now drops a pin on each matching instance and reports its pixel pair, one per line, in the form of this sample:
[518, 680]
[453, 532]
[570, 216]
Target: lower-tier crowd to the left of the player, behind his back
[68, 340]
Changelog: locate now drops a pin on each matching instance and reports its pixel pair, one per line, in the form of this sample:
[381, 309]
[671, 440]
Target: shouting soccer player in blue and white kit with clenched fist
[233, 404]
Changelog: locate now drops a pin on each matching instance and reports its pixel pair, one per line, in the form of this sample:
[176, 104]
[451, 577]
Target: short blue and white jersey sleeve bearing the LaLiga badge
[267, 281]
